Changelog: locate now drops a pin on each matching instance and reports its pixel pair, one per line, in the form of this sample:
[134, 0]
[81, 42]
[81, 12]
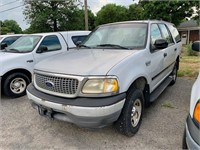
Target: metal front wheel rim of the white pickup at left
[18, 85]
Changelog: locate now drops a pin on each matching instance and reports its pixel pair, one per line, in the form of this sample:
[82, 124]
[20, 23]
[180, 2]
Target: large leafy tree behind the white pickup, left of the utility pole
[47, 16]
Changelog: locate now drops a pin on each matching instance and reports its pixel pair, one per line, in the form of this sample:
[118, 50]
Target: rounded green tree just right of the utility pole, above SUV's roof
[111, 13]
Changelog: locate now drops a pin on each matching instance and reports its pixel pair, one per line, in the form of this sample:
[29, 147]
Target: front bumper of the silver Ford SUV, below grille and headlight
[85, 116]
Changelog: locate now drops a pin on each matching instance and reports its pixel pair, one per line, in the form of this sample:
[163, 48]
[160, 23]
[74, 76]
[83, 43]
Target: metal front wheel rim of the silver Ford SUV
[136, 112]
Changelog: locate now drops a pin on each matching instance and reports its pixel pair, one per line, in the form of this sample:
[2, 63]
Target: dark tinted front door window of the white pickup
[51, 42]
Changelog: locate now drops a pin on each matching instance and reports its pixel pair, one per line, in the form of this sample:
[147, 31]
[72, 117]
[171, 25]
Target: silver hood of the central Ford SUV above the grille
[84, 61]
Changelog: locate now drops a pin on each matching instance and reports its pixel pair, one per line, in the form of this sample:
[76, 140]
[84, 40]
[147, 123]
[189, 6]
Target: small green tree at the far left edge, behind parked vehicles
[10, 26]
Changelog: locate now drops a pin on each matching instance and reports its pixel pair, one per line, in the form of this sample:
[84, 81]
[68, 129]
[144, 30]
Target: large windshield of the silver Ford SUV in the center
[122, 36]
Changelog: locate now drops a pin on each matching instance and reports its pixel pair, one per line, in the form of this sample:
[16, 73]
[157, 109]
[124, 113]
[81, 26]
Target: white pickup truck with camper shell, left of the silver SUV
[17, 60]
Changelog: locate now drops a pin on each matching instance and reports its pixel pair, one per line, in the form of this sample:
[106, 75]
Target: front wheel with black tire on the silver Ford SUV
[131, 116]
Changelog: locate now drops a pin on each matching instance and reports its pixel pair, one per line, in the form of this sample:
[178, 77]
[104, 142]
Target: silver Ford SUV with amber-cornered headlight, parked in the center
[118, 69]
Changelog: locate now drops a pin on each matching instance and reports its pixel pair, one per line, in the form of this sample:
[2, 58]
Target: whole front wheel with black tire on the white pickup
[15, 85]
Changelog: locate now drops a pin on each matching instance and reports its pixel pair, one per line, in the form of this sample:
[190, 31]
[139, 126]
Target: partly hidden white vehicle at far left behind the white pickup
[6, 40]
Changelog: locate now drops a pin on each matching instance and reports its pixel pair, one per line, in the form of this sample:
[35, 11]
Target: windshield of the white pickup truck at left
[24, 44]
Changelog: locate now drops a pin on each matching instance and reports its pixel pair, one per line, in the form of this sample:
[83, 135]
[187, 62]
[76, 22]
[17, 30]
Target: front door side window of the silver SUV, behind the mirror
[155, 35]
